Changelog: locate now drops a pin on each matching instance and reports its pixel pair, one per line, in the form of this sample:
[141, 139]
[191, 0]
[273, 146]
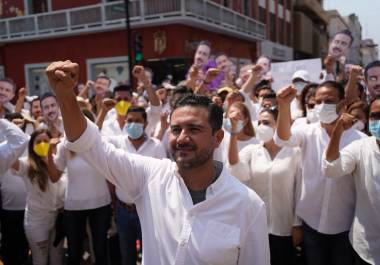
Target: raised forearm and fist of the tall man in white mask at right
[284, 98]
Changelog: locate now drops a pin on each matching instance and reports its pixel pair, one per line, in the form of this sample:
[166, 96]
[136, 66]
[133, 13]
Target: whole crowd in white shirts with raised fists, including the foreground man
[217, 169]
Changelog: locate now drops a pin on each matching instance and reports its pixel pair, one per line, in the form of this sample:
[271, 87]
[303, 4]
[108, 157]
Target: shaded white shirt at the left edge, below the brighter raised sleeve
[13, 191]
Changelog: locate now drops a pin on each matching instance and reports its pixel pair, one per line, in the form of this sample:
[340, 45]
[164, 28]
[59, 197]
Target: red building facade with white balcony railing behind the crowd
[92, 33]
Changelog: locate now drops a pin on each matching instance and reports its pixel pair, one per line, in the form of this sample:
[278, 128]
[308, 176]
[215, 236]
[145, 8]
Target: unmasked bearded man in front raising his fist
[191, 210]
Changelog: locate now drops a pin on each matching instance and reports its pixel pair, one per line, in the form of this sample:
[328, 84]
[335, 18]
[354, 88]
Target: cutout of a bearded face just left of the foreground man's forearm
[50, 112]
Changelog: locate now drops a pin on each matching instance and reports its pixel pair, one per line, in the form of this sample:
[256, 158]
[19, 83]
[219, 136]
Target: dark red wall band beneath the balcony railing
[110, 44]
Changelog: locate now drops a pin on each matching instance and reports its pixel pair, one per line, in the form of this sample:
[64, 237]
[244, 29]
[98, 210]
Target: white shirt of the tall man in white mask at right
[326, 205]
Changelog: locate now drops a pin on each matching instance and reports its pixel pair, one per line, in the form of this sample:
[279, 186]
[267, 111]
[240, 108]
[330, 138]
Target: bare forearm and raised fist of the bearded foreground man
[63, 76]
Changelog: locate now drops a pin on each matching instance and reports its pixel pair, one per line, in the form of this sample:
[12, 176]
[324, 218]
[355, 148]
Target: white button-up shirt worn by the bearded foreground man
[229, 227]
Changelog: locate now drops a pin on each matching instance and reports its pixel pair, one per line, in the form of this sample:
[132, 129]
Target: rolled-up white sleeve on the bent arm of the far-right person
[345, 164]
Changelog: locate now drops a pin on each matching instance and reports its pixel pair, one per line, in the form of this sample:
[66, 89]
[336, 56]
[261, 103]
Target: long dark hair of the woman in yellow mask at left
[37, 171]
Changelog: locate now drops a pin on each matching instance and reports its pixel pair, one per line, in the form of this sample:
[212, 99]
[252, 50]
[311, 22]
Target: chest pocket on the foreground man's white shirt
[220, 244]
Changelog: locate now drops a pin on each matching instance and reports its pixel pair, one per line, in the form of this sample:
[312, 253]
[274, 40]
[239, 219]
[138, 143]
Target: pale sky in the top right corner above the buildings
[368, 12]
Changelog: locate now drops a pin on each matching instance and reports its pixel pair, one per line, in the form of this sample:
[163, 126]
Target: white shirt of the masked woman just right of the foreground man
[275, 181]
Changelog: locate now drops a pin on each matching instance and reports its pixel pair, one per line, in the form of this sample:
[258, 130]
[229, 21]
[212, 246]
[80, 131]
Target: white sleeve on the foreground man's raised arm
[127, 171]
